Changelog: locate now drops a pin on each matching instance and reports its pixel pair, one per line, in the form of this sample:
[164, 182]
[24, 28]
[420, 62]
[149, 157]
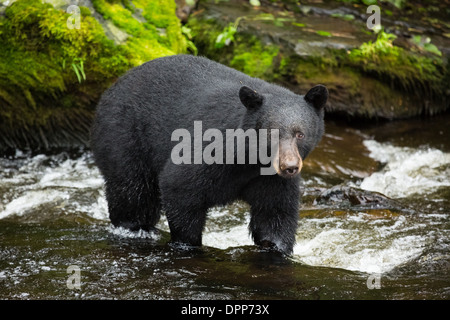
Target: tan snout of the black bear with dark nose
[289, 162]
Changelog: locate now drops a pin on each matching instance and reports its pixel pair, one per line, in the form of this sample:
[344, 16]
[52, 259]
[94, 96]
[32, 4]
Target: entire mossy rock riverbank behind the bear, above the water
[51, 77]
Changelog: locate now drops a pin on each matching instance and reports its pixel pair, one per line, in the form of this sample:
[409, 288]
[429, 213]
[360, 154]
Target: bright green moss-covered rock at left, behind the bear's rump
[51, 76]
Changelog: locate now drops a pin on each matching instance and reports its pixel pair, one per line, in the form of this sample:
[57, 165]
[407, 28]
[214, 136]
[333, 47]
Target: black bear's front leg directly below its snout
[274, 205]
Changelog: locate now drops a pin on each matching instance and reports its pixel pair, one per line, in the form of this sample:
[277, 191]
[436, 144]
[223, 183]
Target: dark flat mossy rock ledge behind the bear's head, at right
[369, 77]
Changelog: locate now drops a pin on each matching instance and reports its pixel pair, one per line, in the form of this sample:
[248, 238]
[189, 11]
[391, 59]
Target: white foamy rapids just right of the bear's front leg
[358, 243]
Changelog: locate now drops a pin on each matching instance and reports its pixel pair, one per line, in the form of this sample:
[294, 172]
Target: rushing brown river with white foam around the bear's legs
[374, 225]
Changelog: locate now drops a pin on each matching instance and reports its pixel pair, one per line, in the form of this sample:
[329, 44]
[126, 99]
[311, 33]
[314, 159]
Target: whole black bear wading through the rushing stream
[133, 144]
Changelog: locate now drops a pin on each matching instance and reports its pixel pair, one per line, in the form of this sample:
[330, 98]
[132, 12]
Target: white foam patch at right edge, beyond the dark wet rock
[407, 171]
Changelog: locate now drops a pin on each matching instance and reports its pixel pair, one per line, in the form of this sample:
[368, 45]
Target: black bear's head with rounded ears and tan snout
[299, 120]
